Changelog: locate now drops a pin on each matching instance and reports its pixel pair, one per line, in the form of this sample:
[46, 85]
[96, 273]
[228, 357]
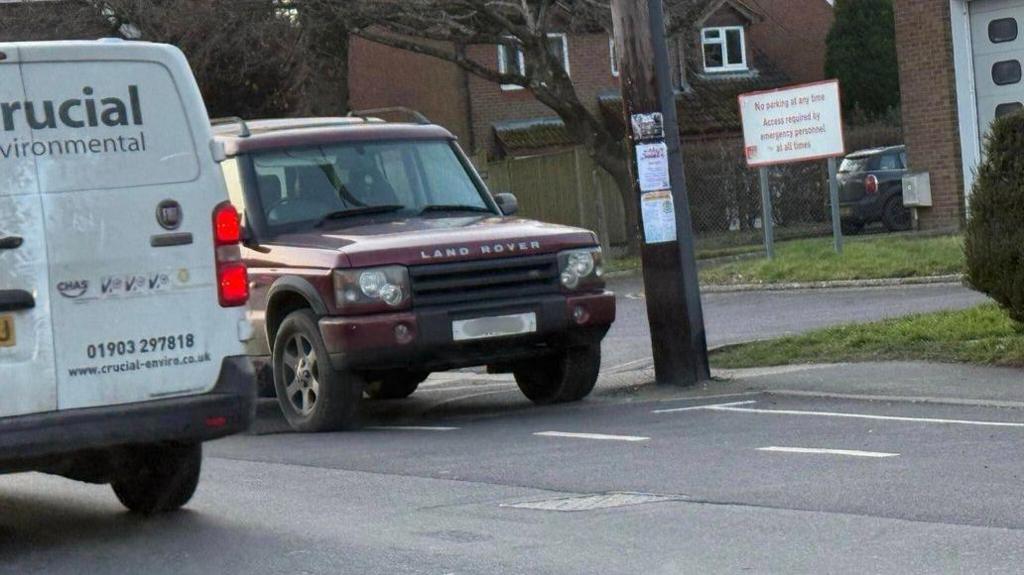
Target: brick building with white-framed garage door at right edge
[960, 69]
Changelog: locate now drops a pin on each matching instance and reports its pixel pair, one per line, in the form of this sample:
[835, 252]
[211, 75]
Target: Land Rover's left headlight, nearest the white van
[368, 291]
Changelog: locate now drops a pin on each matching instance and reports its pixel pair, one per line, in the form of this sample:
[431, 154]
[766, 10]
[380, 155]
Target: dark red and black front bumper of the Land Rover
[369, 343]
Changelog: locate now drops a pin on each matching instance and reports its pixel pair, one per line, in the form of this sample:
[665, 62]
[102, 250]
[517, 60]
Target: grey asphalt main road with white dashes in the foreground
[913, 490]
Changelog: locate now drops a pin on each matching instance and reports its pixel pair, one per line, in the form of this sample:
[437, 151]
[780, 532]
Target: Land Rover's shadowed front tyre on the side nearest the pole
[570, 376]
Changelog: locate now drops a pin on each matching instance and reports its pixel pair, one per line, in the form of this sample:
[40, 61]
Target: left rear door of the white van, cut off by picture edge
[28, 383]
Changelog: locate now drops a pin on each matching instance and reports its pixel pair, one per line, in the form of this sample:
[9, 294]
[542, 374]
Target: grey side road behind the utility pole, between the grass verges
[745, 317]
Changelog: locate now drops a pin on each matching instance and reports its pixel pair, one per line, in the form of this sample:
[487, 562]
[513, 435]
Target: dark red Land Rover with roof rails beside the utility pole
[377, 256]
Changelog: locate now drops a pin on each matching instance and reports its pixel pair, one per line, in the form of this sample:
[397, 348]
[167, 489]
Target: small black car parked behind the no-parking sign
[872, 190]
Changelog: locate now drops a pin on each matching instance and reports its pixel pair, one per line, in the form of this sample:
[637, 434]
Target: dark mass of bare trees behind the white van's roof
[251, 58]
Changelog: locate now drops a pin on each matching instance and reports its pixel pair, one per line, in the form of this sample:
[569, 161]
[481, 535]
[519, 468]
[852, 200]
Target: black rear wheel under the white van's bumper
[159, 478]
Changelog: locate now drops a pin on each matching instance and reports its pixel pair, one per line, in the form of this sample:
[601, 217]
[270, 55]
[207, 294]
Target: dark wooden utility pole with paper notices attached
[670, 270]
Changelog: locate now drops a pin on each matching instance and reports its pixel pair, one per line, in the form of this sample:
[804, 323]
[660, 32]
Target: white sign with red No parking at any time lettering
[795, 124]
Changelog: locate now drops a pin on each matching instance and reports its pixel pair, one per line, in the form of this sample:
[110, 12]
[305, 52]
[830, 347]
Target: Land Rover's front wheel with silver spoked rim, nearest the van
[314, 396]
